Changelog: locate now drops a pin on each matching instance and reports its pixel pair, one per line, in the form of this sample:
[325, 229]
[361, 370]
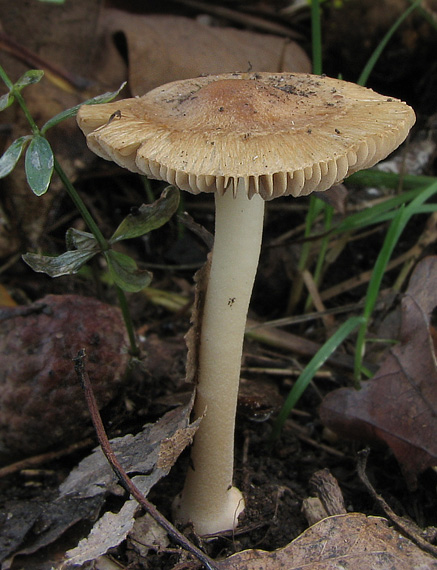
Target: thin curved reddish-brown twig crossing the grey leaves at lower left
[122, 476]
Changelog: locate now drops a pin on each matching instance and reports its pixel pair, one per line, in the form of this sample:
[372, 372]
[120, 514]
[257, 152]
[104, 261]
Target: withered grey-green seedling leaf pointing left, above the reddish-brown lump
[65, 264]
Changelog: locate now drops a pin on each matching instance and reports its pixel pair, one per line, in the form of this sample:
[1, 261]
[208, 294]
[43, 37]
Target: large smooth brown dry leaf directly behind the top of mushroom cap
[166, 48]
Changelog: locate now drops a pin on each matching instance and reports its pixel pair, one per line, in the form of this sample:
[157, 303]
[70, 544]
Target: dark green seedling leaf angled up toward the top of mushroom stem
[148, 217]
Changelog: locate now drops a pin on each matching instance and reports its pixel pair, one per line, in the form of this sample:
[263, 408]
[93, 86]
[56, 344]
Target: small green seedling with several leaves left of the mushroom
[40, 163]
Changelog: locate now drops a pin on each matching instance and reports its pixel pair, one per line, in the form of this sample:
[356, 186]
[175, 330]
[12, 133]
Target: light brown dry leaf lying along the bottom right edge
[342, 542]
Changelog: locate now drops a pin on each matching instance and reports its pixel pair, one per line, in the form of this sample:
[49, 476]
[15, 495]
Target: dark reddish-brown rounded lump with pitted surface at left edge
[42, 403]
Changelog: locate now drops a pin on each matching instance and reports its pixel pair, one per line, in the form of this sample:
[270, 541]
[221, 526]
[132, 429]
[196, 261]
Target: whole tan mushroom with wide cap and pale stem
[247, 138]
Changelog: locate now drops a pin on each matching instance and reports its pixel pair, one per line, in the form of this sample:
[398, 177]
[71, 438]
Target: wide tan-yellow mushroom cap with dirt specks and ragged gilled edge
[271, 134]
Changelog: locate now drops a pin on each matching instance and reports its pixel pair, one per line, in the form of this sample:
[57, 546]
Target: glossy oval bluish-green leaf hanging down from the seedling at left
[39, 165]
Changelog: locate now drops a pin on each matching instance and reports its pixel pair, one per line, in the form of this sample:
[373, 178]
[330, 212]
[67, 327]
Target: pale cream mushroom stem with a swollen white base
[208, 499]
